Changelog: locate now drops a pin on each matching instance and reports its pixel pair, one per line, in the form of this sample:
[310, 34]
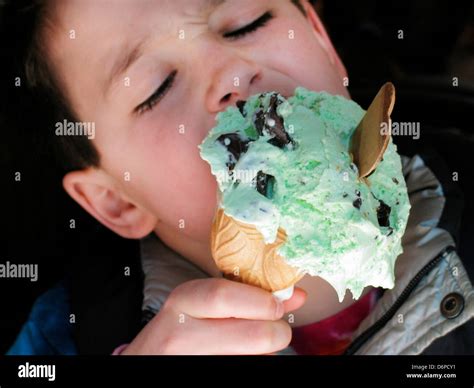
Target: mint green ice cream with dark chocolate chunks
[285, 163]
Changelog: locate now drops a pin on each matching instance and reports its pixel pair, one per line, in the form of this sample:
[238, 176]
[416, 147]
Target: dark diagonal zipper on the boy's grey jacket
[382, 321]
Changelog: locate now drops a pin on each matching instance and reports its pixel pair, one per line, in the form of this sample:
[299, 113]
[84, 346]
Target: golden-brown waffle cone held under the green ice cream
[240, 252]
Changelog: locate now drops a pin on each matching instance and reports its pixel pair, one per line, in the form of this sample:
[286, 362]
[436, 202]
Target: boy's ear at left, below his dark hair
[97, 193]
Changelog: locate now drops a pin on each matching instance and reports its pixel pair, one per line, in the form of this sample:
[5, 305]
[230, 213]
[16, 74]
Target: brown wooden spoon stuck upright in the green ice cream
[369, 141]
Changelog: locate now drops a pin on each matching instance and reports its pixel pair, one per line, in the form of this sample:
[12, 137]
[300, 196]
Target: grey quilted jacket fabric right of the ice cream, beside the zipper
[423, 240]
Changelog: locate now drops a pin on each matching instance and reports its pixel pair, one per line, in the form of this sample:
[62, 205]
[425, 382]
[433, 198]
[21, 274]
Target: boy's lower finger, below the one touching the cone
[229, 336]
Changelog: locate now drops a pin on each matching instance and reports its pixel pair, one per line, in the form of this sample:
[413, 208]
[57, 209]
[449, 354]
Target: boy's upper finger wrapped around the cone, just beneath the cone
[221, 298]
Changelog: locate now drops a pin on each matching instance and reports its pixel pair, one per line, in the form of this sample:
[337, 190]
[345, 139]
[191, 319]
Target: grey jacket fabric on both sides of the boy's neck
[417, 323]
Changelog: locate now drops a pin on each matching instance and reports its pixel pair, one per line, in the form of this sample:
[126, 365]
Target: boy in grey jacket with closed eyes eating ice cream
[151, 76]
